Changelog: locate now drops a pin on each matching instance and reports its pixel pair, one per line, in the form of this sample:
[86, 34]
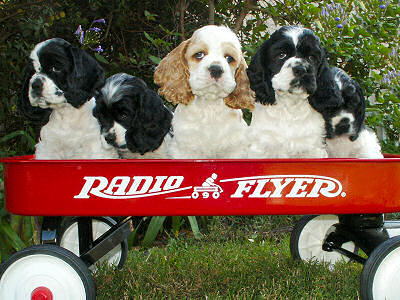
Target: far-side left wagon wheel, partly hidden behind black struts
[68, 239]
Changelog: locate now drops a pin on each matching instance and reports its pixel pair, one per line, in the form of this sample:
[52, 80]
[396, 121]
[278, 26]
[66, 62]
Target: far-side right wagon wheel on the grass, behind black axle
[309, 234]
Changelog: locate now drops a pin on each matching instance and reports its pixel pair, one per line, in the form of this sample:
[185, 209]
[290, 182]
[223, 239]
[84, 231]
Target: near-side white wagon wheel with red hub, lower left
[46, 272]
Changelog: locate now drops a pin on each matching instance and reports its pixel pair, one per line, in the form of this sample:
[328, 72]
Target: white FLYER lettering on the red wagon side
[288, 186]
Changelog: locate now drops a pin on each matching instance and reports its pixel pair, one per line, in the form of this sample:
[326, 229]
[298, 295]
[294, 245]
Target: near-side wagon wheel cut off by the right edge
[380, 276]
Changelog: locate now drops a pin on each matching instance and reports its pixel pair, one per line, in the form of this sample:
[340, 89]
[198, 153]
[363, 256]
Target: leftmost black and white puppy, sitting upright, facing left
[60, 84]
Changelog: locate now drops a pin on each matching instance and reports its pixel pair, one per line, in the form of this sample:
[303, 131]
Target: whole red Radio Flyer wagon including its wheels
[343, 199]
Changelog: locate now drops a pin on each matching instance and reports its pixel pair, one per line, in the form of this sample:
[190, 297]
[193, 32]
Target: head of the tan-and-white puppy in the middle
[210, 63]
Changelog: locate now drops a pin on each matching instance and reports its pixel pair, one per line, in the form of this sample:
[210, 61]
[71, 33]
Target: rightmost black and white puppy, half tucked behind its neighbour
[347, 135]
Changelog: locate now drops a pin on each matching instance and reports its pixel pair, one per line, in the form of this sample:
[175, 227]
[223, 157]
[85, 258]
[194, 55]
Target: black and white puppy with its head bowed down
[133, 118]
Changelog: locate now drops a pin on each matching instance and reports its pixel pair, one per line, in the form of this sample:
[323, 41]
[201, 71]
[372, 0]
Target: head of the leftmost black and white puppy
[60, 73]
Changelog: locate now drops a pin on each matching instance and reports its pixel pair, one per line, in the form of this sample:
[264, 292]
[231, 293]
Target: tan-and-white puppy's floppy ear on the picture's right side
[242, 96]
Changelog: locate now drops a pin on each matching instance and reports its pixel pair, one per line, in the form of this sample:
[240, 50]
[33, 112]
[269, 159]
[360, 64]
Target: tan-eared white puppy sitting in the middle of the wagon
[206, 77]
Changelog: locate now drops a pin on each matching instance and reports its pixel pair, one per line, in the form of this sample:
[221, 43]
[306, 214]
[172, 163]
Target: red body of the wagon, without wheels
[165, 187]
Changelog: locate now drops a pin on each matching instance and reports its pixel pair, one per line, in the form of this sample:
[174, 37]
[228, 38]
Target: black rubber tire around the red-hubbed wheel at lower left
[67, 256]
